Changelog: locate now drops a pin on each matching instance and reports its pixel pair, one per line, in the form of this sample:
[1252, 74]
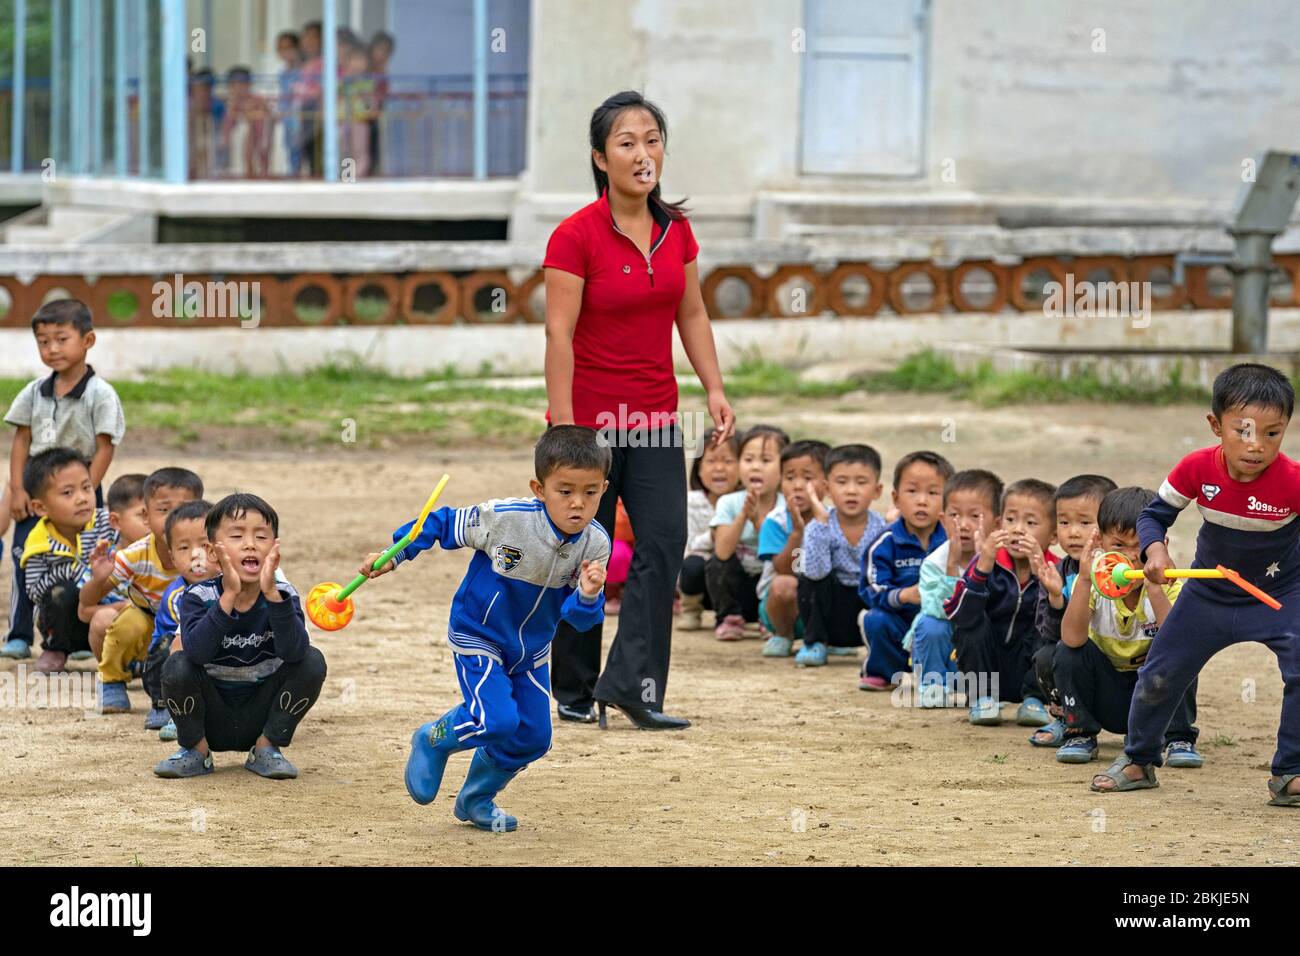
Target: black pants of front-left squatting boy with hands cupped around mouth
[233, 721]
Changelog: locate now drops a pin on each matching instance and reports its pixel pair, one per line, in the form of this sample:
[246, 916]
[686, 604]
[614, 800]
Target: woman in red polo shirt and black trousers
[621, 274]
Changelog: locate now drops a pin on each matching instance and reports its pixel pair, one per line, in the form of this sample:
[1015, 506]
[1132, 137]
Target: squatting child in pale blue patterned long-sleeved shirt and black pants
[835, 544]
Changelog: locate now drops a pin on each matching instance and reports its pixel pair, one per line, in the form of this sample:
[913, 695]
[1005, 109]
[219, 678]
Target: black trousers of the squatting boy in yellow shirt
[1097, 697]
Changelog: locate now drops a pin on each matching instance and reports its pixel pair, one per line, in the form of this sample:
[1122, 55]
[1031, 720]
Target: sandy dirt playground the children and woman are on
[782, 765]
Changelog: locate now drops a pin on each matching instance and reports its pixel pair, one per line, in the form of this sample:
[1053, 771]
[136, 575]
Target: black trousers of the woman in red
[652, 481]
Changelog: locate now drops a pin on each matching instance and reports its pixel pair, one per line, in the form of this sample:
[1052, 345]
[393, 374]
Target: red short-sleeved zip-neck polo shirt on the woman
[623, 340]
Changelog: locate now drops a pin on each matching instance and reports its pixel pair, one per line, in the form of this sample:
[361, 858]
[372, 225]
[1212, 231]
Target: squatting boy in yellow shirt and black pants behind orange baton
[1104, 643]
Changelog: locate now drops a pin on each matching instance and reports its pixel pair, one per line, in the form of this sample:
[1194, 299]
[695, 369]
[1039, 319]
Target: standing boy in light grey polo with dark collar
[72, 408]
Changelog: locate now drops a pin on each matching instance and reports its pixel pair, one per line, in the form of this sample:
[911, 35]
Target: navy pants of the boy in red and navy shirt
[1197, 629]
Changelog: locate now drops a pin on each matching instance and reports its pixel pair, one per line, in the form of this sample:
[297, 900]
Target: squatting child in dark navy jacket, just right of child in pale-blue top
[995, 604]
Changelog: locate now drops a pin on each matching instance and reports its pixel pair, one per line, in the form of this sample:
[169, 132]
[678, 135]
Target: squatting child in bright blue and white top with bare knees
[782, 537]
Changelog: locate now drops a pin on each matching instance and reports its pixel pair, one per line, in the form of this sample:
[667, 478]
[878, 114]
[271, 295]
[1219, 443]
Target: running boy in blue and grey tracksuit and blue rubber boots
[538, 561]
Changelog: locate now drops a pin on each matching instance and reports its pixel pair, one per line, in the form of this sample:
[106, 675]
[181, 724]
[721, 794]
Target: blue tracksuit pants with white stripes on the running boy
[506, 715]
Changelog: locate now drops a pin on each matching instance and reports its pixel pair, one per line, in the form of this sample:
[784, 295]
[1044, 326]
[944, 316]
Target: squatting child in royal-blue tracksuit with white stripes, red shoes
[891, 569]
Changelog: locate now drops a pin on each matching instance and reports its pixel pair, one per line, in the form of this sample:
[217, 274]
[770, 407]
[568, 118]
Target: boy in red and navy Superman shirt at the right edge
[1249, 494]
